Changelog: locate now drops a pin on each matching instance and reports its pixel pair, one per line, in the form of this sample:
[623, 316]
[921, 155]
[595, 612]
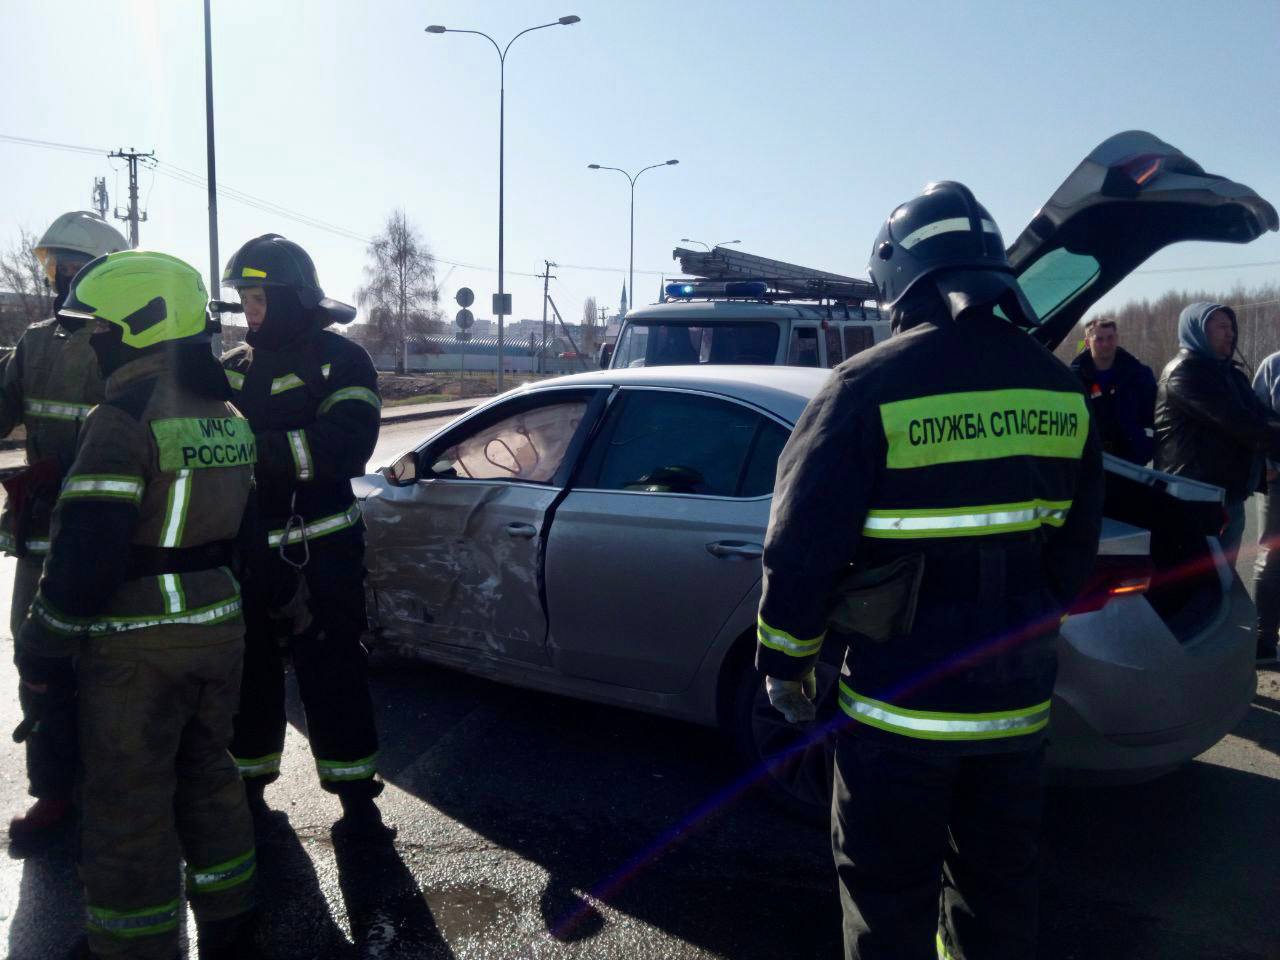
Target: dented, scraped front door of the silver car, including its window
[456, 552]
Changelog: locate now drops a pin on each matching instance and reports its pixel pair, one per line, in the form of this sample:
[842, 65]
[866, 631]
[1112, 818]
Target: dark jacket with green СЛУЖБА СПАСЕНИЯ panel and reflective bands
[970, 445]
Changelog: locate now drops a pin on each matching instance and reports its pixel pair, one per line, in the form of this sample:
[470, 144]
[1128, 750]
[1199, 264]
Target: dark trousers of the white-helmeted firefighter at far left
[52, 747]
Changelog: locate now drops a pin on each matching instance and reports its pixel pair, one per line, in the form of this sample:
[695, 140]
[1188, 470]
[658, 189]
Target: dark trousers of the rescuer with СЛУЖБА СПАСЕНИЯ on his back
[936, 856]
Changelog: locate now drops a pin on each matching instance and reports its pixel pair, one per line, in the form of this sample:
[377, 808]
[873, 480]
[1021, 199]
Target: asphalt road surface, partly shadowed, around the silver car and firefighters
[531, 826]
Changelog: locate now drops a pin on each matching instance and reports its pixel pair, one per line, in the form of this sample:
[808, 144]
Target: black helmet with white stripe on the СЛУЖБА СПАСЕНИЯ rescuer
[948, 236]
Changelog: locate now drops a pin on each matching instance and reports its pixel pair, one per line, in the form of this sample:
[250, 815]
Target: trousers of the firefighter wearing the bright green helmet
[159, 787]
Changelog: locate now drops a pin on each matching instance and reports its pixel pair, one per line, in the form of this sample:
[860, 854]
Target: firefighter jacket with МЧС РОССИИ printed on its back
[158, 467]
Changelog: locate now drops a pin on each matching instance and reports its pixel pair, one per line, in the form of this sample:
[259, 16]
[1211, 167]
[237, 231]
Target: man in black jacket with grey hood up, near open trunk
[1210, 426]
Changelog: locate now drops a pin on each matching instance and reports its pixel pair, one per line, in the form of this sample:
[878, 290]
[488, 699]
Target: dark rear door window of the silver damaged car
[668, 442]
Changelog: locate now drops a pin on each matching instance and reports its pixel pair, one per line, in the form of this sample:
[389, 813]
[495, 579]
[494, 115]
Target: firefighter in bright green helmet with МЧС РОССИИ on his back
[139, 589]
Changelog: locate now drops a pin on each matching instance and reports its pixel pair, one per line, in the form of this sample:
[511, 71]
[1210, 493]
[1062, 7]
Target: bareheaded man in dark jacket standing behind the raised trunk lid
[1122, 392]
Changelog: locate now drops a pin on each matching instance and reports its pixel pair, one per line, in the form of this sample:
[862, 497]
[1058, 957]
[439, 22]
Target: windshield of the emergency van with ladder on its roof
[668, 344]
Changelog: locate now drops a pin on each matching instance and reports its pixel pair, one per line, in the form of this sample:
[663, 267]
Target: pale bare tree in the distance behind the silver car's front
[400, 294]
